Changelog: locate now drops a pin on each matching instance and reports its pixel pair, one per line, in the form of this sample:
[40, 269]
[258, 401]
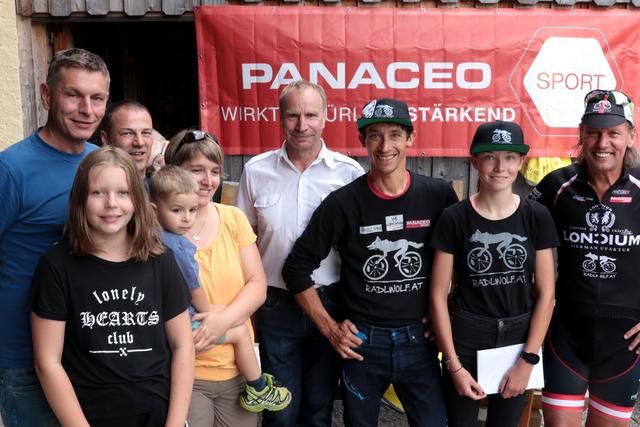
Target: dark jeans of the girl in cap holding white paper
[472, 332]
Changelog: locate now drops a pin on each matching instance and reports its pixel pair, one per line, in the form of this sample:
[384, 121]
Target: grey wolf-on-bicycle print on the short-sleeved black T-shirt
[513, 255]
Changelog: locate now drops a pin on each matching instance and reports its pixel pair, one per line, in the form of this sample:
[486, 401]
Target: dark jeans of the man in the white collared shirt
[300, 357]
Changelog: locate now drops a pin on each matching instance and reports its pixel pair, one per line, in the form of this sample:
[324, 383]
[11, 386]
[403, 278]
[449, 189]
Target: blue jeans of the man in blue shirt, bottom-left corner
[22, 402]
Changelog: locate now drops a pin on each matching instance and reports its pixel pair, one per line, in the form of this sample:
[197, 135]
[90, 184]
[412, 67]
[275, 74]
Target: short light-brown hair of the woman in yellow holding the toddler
[178, 152]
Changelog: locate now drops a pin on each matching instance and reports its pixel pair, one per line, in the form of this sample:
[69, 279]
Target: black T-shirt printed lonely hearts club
[115, 351]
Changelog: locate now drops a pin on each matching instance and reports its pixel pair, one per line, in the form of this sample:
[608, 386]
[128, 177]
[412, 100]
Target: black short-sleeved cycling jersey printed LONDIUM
[599, 249]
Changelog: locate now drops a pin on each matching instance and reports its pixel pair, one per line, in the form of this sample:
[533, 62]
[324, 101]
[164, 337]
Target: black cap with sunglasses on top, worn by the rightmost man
[607, 108]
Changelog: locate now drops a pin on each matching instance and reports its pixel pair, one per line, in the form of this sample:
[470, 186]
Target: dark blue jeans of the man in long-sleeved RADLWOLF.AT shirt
[402, 357]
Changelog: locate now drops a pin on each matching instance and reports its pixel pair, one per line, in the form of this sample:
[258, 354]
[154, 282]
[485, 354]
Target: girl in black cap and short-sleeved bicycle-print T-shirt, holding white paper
[492, 245]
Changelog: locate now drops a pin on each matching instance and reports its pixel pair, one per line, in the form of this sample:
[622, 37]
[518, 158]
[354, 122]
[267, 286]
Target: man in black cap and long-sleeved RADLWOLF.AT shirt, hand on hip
[380, 224]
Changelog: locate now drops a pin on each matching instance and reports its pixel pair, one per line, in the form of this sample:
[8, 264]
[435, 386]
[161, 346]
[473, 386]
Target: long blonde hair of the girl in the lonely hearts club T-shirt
[143, 227]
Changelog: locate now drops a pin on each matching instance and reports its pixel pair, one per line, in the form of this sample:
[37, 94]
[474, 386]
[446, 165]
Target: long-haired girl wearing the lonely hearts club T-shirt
[112, 336]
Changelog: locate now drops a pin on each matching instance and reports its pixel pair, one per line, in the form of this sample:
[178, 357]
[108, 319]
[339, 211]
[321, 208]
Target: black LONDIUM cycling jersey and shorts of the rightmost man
[597, 295]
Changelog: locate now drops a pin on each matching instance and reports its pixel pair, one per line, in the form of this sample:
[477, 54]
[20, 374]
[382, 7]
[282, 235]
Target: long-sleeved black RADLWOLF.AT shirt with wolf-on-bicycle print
[386, 262]
